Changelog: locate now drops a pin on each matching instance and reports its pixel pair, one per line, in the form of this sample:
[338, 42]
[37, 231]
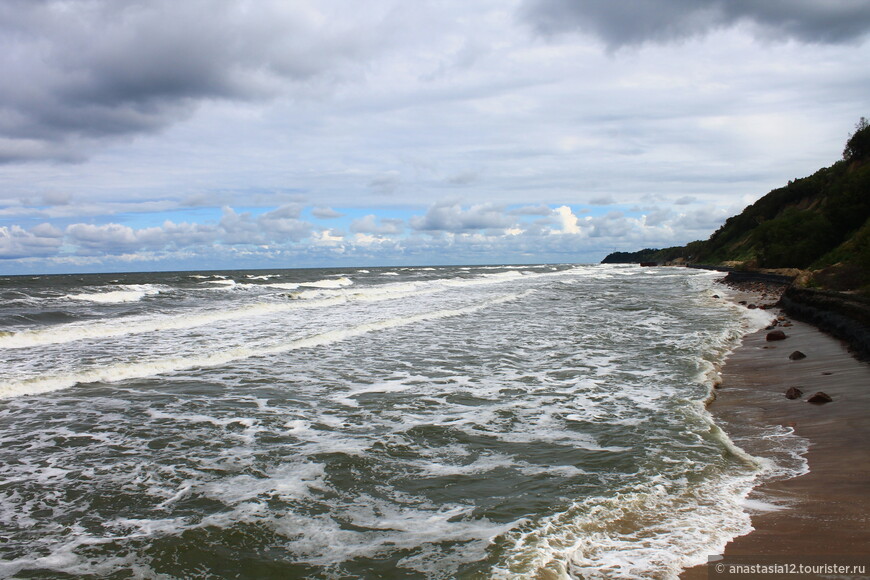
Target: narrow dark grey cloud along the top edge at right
[630, 22]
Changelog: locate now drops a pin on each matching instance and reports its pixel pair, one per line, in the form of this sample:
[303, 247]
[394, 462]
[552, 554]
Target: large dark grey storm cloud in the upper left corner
[79, 71]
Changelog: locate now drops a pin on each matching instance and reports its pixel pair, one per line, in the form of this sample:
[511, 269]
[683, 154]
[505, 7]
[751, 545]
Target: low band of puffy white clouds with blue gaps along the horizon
[448, 233]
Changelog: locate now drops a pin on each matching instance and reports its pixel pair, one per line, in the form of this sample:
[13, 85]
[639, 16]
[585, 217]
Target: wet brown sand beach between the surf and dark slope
[826, 511]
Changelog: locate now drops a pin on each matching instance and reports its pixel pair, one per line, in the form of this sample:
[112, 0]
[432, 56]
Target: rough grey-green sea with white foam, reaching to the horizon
[534, 421]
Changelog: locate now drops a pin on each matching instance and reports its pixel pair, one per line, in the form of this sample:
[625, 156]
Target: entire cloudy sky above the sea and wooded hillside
[144, 135]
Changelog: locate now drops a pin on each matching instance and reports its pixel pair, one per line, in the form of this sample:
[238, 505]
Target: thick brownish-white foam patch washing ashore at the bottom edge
[655, 531]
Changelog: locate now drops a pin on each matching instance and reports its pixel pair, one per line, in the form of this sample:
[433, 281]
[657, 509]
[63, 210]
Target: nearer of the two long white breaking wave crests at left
[125, 371]
